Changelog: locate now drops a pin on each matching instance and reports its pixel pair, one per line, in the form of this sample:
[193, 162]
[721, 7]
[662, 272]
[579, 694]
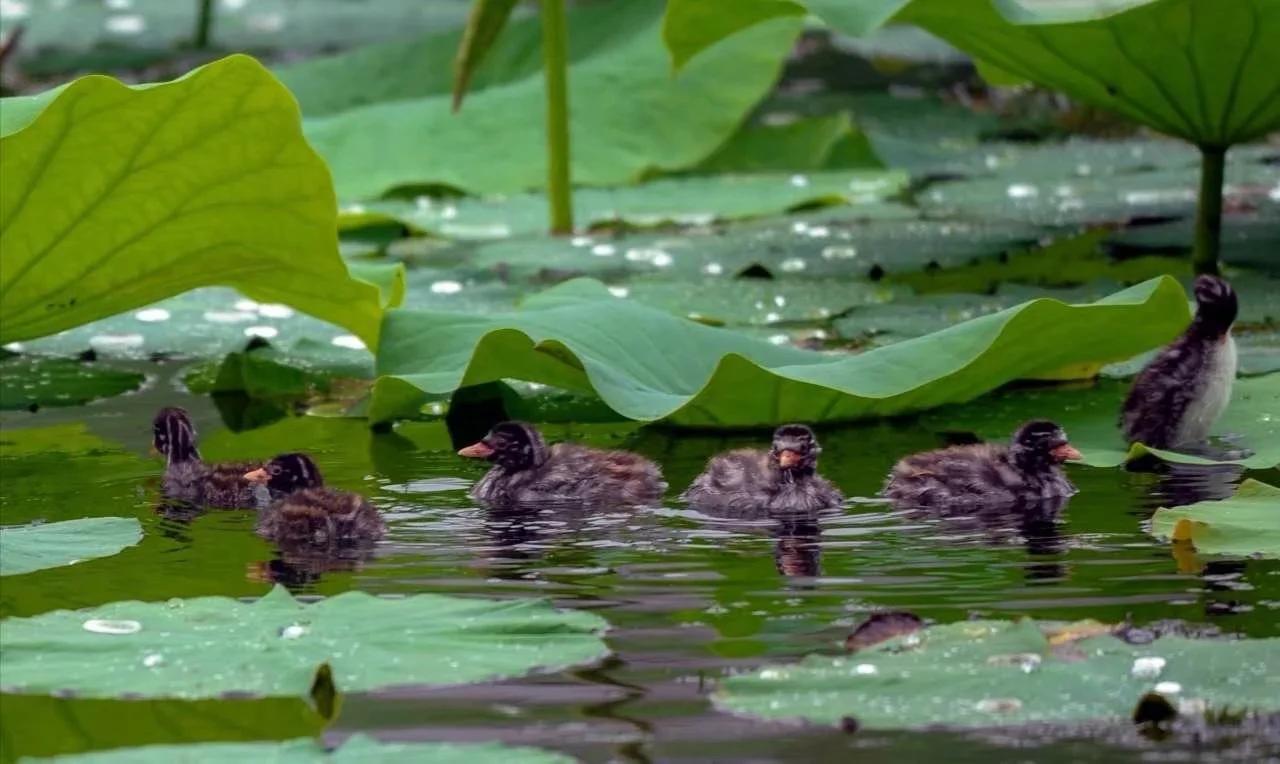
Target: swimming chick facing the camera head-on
[784, 478]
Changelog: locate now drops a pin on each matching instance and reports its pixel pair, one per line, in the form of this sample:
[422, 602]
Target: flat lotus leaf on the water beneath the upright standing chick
[1091, 420]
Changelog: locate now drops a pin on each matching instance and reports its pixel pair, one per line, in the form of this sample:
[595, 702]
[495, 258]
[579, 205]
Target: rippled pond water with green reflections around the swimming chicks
[689, 597]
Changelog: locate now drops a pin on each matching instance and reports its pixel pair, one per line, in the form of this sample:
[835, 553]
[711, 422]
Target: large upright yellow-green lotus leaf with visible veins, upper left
[202, 181]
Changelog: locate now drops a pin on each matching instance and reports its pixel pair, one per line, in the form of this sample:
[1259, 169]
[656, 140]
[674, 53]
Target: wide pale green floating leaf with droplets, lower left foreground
[276, 646]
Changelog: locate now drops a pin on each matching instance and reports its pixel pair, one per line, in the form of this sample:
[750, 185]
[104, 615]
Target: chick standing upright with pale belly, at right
[1178, 397]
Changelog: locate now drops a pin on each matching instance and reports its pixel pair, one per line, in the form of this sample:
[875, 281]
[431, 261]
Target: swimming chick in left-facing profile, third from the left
[528, 472]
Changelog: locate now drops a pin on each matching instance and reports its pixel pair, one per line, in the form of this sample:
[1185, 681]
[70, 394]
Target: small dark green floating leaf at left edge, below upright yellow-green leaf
[34, 382]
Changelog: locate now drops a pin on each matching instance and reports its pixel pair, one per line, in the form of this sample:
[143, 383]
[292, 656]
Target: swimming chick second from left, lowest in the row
[304, 511]
